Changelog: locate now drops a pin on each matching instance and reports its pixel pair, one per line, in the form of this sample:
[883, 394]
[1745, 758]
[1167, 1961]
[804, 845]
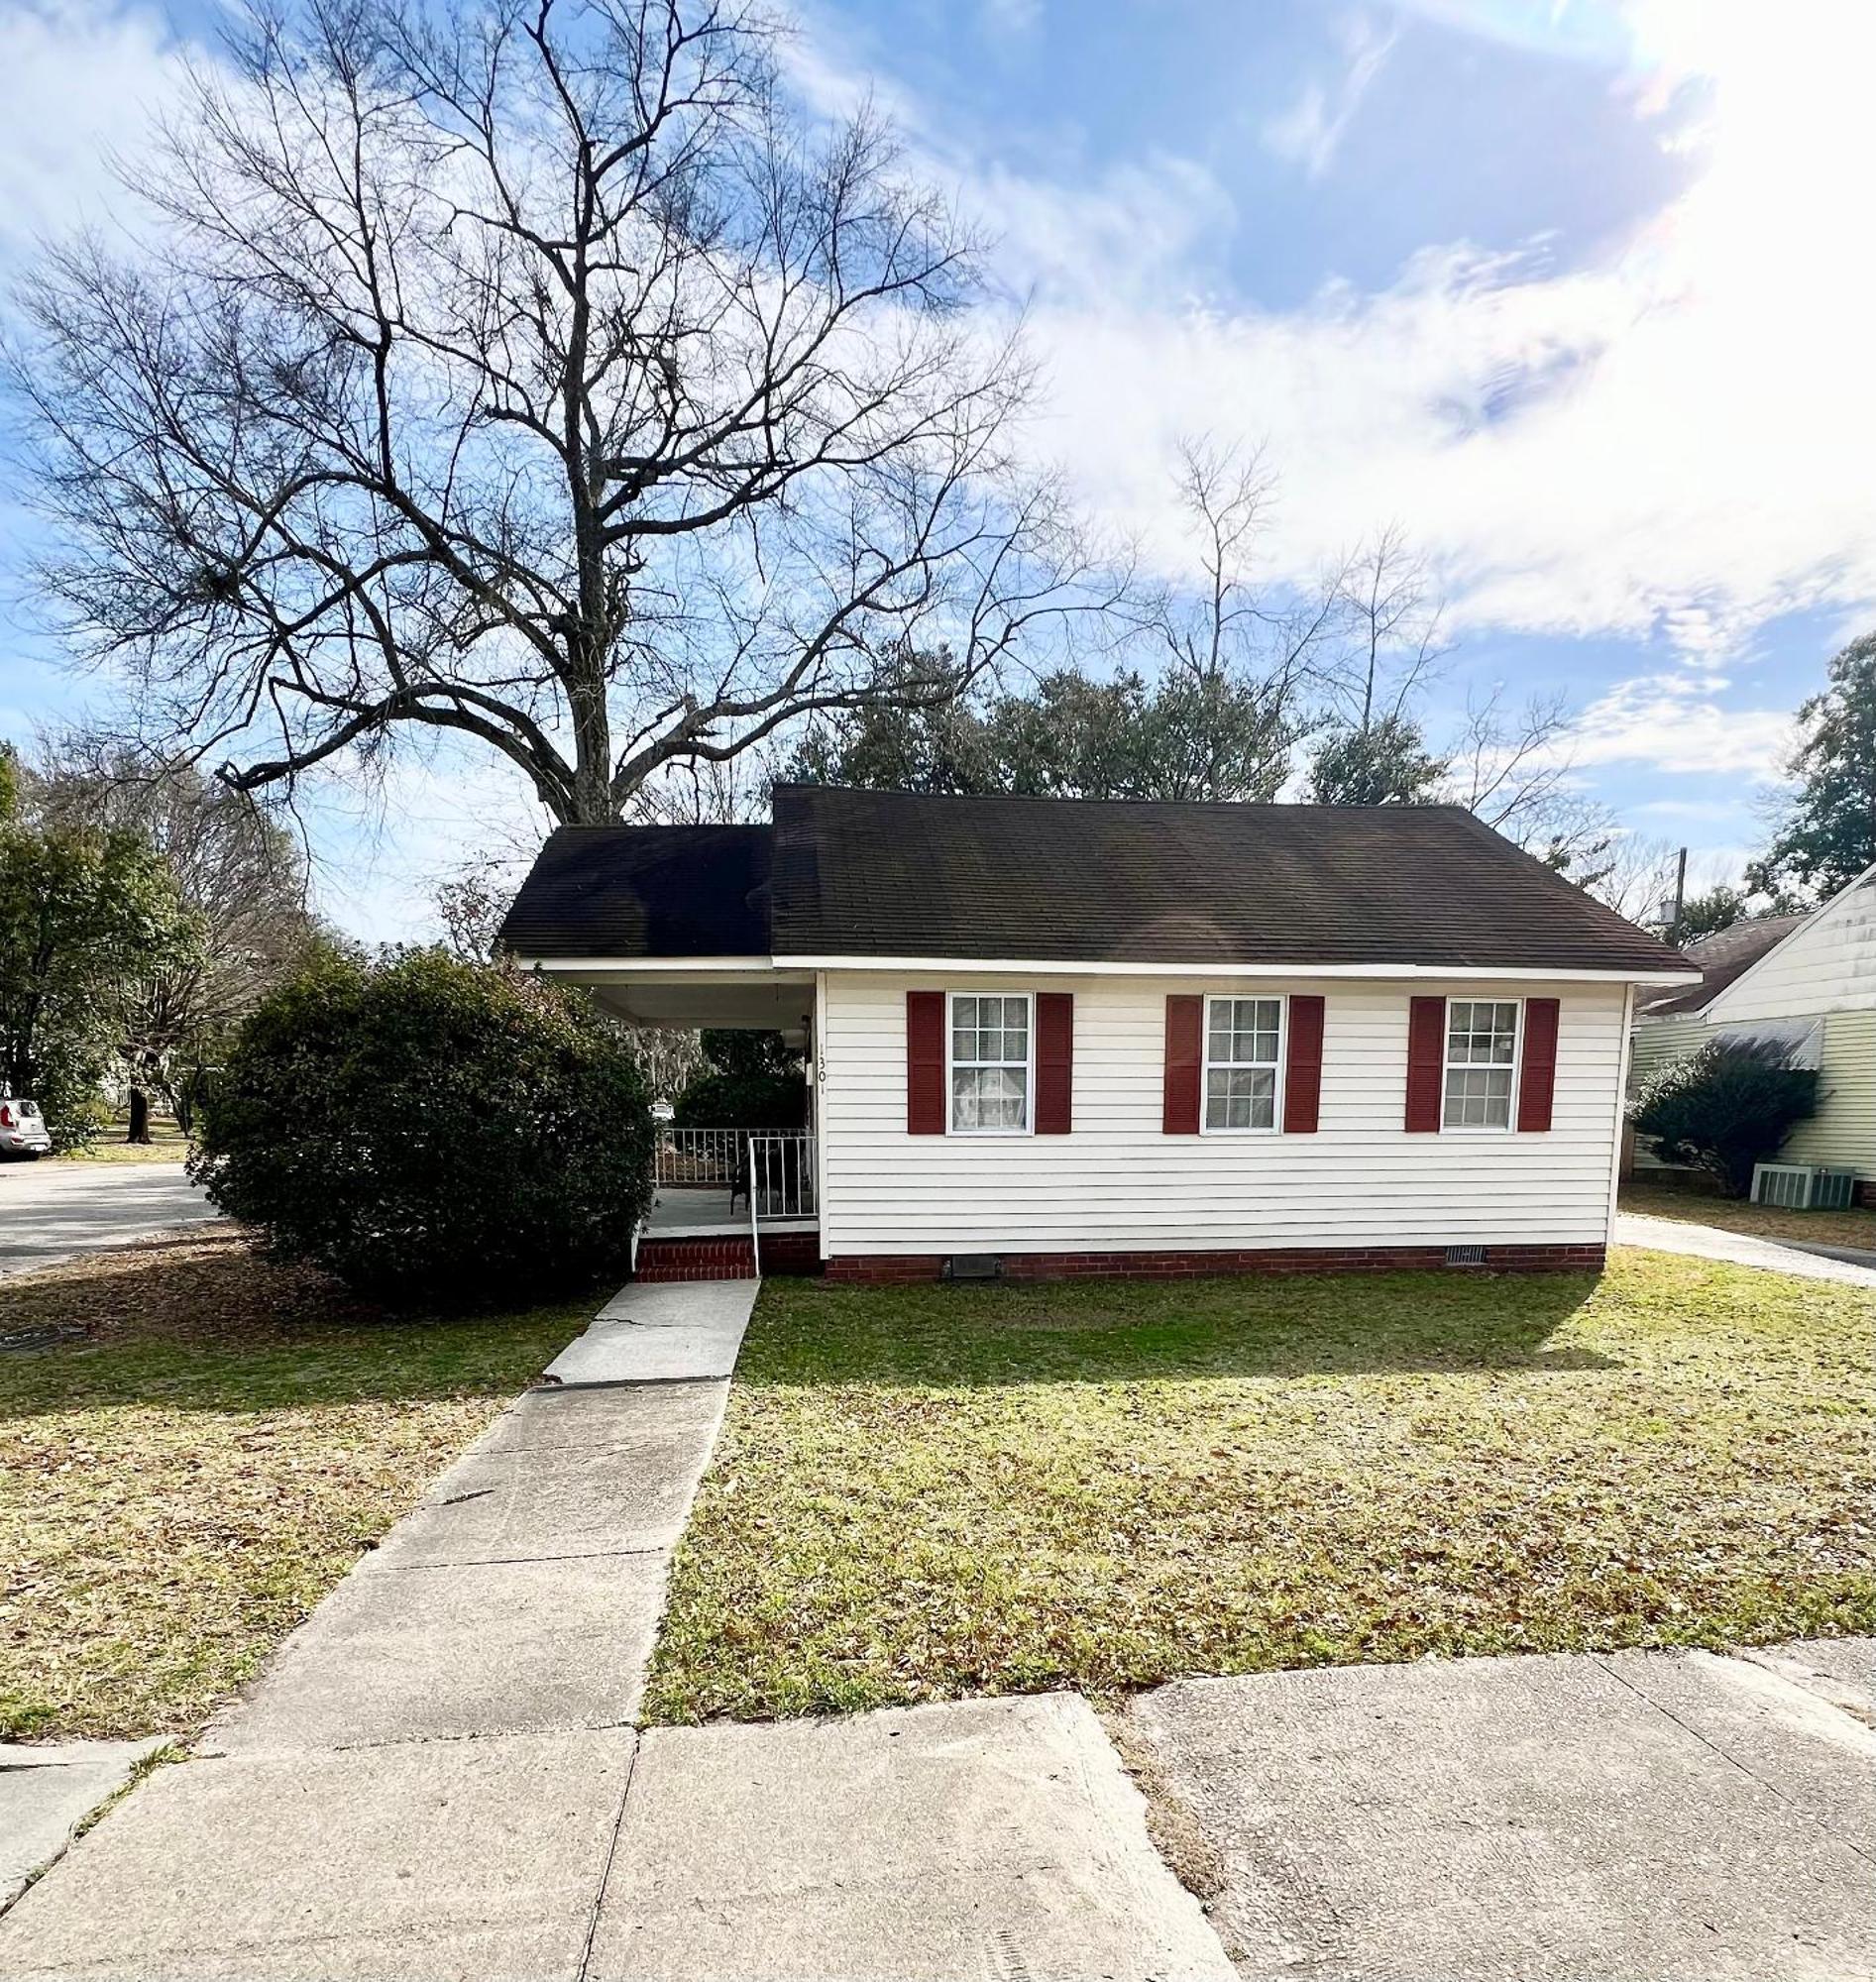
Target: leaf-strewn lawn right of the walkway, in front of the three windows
[937, 1491]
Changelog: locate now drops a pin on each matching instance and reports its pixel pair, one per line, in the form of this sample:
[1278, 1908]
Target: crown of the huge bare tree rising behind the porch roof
[528, 374]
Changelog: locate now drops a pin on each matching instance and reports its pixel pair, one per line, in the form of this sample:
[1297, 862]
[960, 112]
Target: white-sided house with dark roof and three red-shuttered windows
[1062, 1036]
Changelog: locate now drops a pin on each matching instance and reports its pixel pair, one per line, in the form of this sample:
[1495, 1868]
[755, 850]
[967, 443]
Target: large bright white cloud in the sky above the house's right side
[1673, 443]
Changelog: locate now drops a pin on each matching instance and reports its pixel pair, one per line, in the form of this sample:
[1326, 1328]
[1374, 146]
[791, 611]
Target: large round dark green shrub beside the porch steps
[433, 1131]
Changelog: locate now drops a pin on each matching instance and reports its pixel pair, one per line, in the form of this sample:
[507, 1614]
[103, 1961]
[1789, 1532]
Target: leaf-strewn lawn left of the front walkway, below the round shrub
[189, 1478]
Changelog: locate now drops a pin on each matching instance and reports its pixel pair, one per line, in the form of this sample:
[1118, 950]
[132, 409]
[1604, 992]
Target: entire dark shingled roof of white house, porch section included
[897, 875]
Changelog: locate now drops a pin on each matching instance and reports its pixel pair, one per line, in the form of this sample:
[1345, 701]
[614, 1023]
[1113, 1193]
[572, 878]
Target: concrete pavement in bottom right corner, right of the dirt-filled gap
[1687, 1818]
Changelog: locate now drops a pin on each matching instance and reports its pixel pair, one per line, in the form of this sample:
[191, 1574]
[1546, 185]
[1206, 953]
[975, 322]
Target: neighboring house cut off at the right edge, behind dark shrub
[1806, 982]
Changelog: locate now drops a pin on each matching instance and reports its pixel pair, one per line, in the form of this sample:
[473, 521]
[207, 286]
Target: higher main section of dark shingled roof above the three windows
[883, 873]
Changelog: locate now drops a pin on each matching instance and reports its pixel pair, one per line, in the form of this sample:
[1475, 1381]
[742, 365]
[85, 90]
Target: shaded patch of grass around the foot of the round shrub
[207, 1323]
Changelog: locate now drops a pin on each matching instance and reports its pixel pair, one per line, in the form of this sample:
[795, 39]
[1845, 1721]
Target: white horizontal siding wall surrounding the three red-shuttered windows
[1117, 1184]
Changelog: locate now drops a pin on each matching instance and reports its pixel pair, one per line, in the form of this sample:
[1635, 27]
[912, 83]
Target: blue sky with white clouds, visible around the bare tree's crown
[1570, 292]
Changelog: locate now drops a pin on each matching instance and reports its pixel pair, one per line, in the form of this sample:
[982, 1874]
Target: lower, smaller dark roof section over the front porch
[645, 893]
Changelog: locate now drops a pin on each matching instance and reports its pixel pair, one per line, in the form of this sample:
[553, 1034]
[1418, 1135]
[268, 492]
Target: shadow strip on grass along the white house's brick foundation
[1143, 1331]
